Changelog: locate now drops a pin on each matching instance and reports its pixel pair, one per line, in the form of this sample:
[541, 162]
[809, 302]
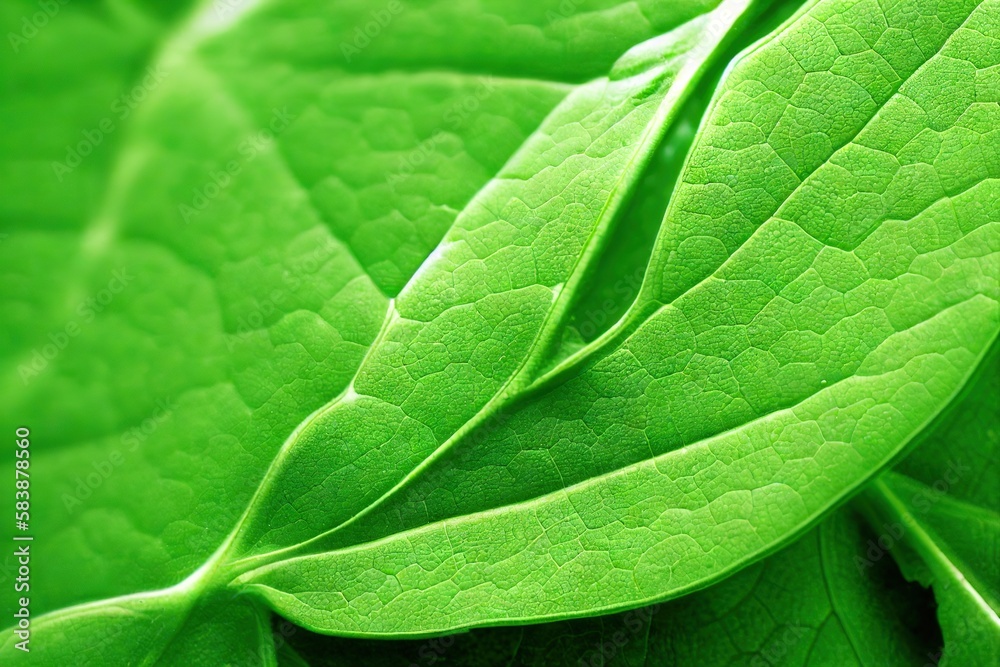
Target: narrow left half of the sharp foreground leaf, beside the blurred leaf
[483, 311]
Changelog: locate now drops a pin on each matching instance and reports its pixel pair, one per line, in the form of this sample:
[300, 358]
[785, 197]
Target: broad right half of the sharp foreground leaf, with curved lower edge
[824, 283]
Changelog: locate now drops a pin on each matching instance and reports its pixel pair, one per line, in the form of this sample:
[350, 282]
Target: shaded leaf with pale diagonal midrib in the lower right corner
[944, 501]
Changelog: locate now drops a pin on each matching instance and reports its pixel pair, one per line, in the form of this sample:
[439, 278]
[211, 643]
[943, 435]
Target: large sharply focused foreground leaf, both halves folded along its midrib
[823, 285]
